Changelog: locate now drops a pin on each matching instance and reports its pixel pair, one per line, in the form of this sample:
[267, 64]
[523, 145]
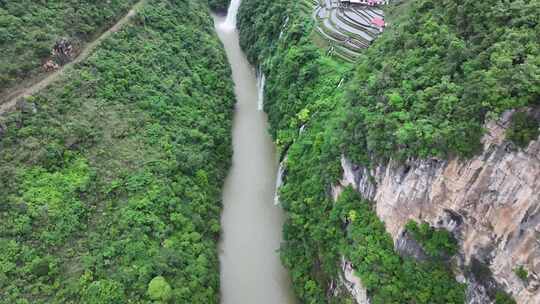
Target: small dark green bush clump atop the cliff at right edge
[524, 128]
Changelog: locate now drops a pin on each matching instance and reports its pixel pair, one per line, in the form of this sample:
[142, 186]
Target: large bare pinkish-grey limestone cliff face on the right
[490, 202]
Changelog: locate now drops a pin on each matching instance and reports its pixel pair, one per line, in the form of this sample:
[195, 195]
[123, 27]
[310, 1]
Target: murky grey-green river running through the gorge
[251, 271]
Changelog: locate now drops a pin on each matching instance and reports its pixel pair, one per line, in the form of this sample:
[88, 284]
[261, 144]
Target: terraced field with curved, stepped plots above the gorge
[347, 30]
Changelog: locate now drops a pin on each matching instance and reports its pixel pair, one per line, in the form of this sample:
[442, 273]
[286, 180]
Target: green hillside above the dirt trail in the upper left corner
[29, 29]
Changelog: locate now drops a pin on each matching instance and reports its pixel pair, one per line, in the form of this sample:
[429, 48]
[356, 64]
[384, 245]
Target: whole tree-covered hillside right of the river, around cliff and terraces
[425, 88]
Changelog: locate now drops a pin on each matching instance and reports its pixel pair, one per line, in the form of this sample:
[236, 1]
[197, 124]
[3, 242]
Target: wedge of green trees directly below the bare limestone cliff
[387, 277]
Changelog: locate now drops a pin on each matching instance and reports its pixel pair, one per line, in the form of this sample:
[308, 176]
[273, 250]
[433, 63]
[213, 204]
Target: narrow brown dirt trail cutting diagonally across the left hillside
[10, 100]
